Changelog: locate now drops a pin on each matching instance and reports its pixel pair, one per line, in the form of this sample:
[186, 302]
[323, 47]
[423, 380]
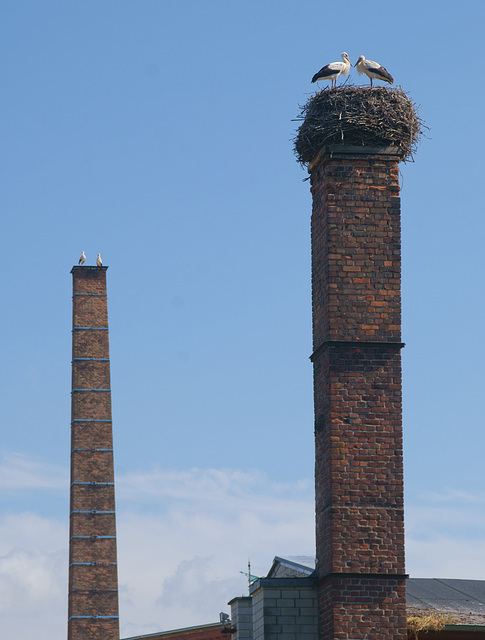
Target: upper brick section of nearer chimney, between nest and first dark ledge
[356, 250]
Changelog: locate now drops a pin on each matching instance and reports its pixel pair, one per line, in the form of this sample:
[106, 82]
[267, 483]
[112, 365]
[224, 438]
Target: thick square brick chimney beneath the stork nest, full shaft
[356, 287]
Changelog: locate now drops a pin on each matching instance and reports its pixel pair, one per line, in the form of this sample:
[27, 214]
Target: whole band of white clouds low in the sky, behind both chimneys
[185, 536]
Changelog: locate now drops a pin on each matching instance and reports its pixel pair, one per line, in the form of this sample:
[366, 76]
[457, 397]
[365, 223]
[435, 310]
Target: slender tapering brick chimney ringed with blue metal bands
[93, 580]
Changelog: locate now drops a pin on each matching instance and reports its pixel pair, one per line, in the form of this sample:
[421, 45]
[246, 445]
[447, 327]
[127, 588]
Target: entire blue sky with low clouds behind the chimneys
[159, 133]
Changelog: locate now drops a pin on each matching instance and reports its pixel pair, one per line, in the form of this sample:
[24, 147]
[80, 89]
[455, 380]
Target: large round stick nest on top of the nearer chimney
[361, 116]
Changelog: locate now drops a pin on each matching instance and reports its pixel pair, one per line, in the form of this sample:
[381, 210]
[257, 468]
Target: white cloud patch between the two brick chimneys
[213, 521]
